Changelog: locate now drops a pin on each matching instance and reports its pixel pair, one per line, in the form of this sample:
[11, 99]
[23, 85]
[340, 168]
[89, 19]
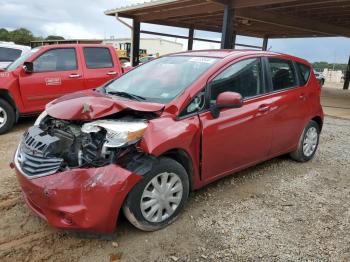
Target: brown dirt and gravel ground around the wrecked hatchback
[278, 210]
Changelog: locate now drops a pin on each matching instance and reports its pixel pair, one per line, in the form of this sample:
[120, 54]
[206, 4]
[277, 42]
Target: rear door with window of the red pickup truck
[100, 65]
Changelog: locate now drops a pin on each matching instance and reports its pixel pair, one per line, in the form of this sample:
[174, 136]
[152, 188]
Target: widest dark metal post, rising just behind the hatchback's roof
[227, 28]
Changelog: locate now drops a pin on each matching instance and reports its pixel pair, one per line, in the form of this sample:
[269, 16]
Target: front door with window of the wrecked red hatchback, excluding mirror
[238, 137]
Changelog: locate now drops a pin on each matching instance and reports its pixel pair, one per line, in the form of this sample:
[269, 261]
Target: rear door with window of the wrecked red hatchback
[290, 109]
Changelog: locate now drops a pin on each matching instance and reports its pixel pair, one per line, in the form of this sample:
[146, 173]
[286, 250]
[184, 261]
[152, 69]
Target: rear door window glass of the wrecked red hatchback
[282, 73]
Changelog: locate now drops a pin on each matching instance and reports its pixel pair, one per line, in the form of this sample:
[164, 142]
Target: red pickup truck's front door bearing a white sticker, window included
[56, 72]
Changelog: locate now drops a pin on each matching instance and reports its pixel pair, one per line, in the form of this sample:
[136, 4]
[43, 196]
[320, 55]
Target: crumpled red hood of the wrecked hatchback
[89, 105]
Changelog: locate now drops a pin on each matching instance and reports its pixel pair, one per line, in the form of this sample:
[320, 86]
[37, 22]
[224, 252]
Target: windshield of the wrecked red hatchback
[161, 80]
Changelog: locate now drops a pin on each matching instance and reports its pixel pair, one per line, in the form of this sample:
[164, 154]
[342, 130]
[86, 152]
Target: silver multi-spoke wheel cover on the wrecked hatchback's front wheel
[161, 197]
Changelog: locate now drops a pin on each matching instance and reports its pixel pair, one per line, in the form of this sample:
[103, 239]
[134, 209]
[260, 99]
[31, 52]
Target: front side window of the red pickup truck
[60, 59]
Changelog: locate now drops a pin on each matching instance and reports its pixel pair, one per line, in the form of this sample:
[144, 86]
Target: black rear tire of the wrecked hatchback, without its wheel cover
[299, 154]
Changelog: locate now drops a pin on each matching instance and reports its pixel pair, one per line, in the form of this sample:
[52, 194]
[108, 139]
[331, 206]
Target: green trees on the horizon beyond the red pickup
[23, 36]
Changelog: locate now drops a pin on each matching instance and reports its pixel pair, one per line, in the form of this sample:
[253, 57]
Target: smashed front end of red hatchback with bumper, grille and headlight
[76, 174]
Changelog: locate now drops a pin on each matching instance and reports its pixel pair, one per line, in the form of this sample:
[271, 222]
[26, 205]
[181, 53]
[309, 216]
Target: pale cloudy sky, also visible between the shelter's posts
[85, 19]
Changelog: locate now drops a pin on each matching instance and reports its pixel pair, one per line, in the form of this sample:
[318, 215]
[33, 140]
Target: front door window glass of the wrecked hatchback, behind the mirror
[243, 77]
